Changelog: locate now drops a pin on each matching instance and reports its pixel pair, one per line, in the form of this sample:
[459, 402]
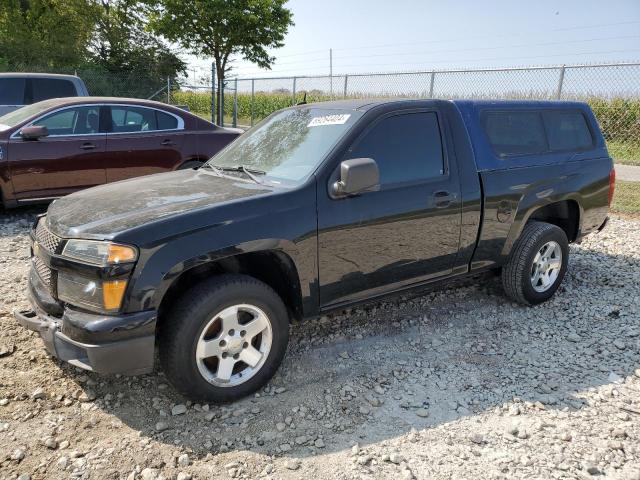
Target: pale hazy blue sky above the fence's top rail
[413, 35]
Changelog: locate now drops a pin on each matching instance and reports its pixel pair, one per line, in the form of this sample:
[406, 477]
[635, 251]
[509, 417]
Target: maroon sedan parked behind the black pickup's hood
[52, 148]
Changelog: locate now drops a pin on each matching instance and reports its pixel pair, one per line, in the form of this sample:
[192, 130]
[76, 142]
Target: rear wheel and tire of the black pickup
[528, 281]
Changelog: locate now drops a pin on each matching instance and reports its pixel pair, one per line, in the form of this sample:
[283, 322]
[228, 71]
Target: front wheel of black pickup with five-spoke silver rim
[194, 329]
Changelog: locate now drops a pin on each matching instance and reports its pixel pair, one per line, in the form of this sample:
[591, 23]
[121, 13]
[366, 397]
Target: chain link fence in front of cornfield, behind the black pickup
[612, 90]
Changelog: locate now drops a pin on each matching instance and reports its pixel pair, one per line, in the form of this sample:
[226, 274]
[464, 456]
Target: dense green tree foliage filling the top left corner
[50, 34]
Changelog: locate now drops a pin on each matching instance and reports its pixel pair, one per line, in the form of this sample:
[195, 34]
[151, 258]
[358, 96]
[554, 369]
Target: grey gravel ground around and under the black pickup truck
[457, 383]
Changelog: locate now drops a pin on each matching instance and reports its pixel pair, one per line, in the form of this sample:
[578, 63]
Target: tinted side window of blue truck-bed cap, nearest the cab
[515, 133]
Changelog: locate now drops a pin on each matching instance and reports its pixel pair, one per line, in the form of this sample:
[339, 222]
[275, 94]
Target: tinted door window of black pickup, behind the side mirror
[406, 147]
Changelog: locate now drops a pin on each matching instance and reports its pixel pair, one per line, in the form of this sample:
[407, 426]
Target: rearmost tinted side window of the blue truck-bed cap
[567, 130]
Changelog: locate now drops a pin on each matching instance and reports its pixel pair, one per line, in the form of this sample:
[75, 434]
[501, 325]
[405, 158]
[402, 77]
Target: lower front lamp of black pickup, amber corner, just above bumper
[91, 293]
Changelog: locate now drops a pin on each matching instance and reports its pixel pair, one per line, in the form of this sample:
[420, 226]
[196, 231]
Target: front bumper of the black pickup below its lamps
[100, 343]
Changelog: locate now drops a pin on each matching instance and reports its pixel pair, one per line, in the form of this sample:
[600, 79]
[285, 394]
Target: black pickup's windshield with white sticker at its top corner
[289, 145]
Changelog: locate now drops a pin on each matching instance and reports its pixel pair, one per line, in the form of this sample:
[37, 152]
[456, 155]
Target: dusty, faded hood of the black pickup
[102, 212]
